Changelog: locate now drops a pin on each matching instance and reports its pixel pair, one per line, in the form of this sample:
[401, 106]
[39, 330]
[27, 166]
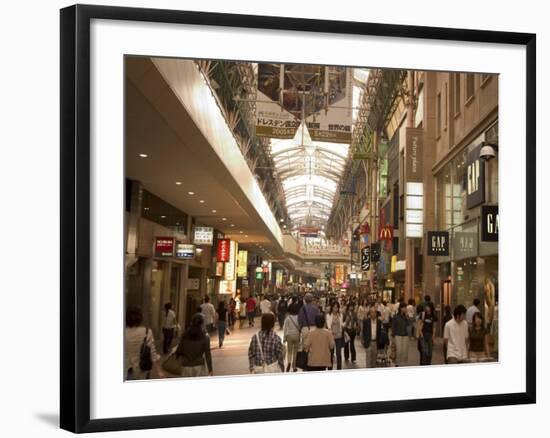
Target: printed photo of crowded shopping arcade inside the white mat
[289, 218]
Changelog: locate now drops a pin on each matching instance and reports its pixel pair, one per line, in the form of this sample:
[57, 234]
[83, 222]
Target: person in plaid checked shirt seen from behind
[272, 346]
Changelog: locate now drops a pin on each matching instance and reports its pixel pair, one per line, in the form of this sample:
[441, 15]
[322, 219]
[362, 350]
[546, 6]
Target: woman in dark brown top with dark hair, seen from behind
[194, 349]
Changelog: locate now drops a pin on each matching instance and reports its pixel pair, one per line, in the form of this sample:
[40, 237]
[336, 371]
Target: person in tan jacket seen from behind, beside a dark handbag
[319, 345]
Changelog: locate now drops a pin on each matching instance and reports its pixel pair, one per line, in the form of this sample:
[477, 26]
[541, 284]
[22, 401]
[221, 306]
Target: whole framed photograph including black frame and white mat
[265, 207]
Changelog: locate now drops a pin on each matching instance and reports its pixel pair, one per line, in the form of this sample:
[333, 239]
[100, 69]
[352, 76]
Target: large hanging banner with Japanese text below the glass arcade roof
[283, 84]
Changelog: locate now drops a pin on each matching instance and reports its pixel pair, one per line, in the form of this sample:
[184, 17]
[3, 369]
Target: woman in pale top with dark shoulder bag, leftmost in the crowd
[136, 338]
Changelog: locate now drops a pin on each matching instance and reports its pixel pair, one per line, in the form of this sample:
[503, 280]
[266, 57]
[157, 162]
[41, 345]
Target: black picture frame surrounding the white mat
[75, 216]
